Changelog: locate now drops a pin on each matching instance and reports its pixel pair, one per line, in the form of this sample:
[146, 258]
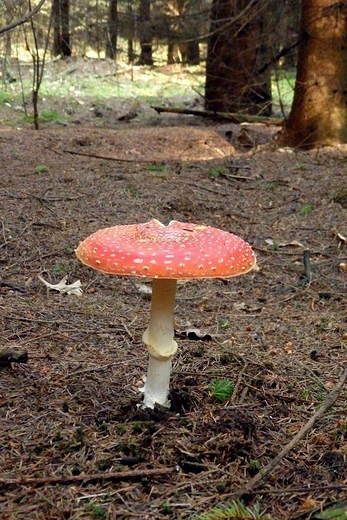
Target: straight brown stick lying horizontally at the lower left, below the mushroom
[113, 475]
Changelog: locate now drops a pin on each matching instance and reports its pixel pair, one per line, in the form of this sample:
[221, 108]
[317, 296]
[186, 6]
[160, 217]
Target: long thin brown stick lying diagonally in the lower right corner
[327, 403]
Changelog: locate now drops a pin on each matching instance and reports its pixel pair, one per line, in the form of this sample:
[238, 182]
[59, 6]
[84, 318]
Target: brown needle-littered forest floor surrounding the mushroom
[73, 441]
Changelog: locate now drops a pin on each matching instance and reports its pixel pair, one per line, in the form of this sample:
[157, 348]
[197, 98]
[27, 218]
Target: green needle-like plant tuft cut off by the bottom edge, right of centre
[233, 510]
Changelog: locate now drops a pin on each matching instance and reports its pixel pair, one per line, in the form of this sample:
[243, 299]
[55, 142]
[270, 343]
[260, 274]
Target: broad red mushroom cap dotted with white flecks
[178, 250]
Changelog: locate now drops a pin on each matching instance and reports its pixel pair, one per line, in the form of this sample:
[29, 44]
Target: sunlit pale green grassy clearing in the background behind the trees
[79, 83]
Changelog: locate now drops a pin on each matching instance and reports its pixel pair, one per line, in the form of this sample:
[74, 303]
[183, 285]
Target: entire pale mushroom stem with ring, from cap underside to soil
[158, 338]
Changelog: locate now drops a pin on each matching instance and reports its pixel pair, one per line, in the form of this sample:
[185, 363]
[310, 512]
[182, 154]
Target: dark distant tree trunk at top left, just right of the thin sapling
[61, 28]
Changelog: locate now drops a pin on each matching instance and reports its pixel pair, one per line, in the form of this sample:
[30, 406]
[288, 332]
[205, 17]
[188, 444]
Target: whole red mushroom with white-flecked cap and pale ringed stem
[165, 254]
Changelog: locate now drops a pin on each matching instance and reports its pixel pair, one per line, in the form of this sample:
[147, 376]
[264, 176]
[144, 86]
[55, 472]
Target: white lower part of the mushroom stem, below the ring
[156, 388]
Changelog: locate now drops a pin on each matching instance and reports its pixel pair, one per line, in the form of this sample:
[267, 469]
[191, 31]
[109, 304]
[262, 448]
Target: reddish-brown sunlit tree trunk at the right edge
[319, 111]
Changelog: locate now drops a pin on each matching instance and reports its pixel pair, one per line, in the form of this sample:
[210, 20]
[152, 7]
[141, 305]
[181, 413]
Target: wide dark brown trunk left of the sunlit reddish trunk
[238, 48]
